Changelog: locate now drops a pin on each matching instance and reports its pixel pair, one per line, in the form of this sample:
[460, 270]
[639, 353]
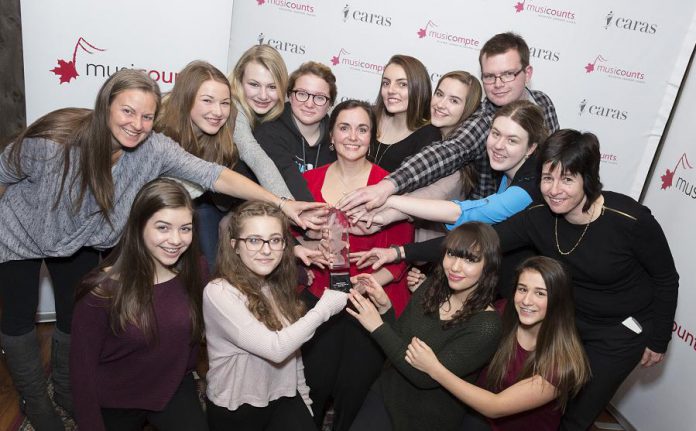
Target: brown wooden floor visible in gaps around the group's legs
[11, 417]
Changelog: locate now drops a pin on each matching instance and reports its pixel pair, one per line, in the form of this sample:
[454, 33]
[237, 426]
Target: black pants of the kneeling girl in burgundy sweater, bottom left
[182, 413]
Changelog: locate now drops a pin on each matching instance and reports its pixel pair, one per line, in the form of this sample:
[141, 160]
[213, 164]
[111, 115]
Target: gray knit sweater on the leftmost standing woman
[30, 226]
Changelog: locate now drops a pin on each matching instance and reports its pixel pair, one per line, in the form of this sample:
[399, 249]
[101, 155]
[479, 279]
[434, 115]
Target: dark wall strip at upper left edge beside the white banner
[12, 105]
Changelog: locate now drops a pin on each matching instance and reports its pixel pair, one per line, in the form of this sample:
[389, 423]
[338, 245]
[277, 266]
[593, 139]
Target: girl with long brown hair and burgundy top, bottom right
[540, 363]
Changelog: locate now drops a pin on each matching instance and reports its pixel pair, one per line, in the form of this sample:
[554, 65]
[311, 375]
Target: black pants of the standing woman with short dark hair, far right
[613, 352]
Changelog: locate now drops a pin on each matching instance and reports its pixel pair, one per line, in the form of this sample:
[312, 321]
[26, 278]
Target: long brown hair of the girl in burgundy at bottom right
[559, 356]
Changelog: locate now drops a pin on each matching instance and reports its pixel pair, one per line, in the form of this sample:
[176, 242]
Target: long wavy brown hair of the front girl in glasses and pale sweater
[282, 281]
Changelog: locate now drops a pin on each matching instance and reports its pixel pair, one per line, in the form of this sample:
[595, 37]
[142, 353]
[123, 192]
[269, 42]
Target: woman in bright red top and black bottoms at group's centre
[341, 362]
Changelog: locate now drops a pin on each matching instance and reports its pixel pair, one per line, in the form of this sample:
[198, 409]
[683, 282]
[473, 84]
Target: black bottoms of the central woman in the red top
[341, 362]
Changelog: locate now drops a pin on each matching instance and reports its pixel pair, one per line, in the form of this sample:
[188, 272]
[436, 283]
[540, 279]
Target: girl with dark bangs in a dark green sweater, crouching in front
[452, 312]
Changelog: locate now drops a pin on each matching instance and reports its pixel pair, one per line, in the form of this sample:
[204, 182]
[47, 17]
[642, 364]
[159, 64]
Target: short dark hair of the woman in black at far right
[576, 153]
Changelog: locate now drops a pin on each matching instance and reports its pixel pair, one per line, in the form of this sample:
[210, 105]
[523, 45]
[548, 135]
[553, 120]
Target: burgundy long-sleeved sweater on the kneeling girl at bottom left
[125, 370]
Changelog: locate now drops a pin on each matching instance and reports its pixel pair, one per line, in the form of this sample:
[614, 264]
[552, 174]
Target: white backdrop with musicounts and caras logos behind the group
[611, 67]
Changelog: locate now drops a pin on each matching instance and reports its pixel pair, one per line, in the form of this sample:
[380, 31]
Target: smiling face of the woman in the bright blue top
[508, 146]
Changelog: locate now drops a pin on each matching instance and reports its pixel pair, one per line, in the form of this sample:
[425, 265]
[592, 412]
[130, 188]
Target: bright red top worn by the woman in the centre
[395, 234]
